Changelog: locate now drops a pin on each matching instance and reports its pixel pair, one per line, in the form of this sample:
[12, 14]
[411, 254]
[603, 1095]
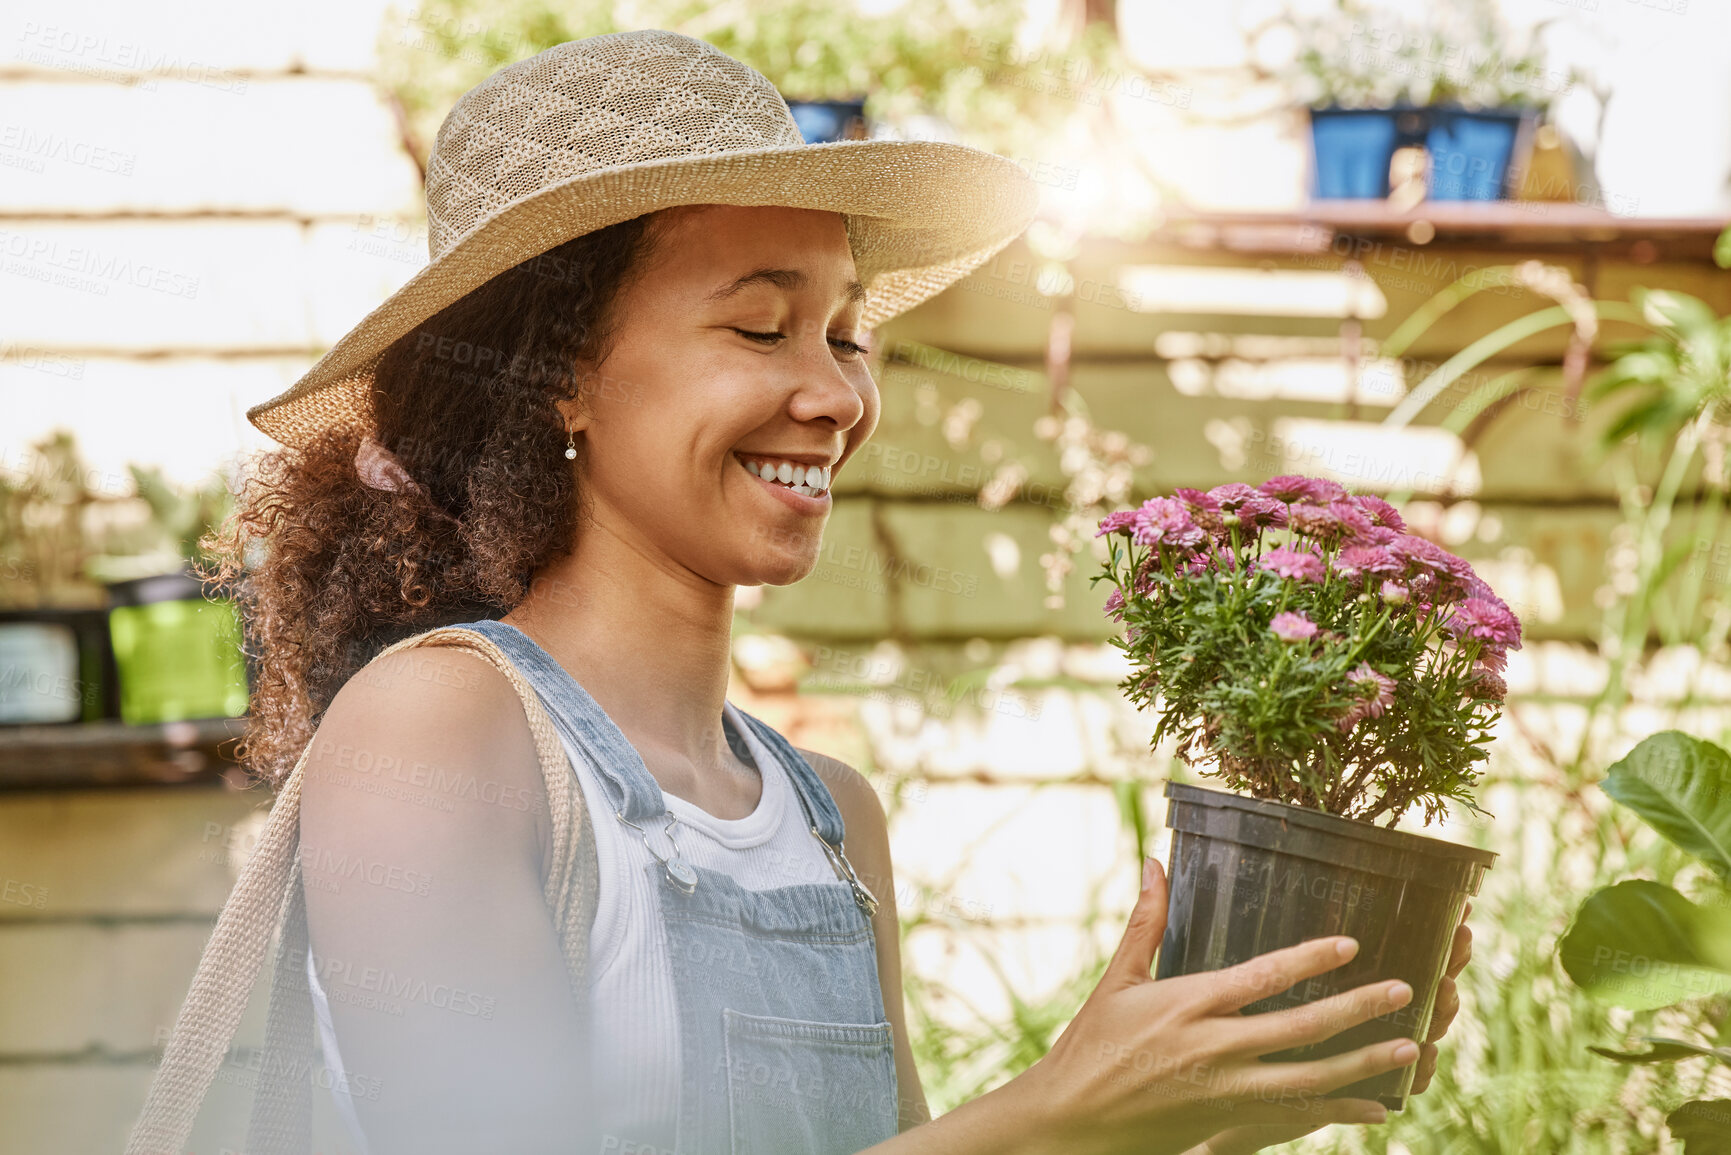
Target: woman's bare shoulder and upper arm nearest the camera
[423, 839]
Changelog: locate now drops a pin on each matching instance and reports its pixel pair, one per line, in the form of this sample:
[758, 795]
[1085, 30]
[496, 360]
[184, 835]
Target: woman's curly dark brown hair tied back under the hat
[340, 571]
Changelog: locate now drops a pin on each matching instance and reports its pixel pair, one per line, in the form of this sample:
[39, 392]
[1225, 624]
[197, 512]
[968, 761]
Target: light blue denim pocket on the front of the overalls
[808, 1087]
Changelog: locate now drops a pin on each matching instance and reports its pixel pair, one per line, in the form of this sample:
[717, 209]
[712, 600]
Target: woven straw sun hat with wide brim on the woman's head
[602, 131]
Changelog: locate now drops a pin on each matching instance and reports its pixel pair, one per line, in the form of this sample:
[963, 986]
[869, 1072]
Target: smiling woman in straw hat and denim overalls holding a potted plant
[577, 436]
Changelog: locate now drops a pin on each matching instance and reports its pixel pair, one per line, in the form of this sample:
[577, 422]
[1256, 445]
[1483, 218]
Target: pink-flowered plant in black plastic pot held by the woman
[1330, 669]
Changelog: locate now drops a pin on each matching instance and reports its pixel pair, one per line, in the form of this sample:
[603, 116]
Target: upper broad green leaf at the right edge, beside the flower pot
[1682, 787]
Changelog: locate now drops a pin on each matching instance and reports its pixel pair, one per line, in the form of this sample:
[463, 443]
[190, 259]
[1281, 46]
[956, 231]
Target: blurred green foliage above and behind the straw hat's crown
[948, 60]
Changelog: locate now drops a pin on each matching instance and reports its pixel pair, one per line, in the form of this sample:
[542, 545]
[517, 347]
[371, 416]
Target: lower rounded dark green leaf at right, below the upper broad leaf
[1644, 946]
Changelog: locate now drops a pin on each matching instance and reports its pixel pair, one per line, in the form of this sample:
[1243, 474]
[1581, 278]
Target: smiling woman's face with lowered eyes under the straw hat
[686, 399]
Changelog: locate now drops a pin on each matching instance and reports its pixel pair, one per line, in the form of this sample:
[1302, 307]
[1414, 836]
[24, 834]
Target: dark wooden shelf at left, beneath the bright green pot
[115, 754]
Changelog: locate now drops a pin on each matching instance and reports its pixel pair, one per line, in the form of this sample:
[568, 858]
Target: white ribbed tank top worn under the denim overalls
[636, 1033]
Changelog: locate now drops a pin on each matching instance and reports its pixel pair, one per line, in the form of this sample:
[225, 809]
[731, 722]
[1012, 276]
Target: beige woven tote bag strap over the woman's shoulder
[269, 898]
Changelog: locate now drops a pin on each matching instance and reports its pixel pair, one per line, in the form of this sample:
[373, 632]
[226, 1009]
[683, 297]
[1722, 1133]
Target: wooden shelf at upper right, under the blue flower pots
[1538, 226]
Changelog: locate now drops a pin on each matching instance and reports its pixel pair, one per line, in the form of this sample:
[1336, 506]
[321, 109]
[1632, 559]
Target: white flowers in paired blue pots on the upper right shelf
[1453, 86]
